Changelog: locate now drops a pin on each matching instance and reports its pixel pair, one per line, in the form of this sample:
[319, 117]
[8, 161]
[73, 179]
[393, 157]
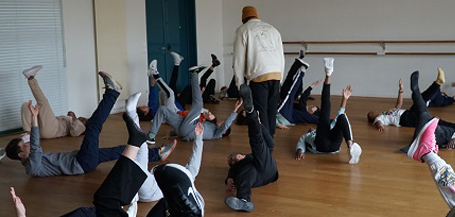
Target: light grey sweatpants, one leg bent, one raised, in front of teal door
[183, 126]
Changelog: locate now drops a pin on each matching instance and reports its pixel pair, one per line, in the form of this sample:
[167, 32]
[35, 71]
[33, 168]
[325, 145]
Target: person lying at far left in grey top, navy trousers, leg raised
[43, 164]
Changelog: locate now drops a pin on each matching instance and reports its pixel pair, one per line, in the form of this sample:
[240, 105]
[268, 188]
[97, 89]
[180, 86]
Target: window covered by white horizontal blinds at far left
[30, 34]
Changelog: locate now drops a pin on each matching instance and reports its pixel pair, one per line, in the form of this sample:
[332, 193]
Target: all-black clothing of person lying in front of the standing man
[263, 169]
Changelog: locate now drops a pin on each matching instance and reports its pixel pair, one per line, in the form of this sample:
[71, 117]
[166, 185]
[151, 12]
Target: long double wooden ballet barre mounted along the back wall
[381, 43]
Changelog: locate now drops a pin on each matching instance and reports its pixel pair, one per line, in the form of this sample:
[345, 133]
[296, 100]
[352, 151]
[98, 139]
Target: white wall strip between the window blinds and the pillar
[80, 56]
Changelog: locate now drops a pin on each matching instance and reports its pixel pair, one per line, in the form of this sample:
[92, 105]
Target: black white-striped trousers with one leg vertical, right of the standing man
[329, 140]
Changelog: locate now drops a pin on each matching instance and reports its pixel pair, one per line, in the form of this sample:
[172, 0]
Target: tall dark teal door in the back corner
[171, 26]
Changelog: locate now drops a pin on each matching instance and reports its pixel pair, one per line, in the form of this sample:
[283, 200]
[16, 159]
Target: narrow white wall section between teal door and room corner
[209, 26]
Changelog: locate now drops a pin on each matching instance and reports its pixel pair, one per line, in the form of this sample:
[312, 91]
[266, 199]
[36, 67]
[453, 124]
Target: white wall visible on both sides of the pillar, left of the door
[80, 54]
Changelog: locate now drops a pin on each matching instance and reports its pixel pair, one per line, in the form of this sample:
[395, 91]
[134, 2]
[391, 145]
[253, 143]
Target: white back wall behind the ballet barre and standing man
[357, 20]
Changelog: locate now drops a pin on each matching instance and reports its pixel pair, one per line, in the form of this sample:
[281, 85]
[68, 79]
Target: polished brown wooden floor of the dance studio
[384, 183]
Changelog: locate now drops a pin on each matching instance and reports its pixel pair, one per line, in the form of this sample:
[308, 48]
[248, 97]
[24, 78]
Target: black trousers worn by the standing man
[265, 100]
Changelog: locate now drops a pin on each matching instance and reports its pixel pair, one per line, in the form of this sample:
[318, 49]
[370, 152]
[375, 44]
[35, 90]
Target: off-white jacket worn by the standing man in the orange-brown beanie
[258, 50]
